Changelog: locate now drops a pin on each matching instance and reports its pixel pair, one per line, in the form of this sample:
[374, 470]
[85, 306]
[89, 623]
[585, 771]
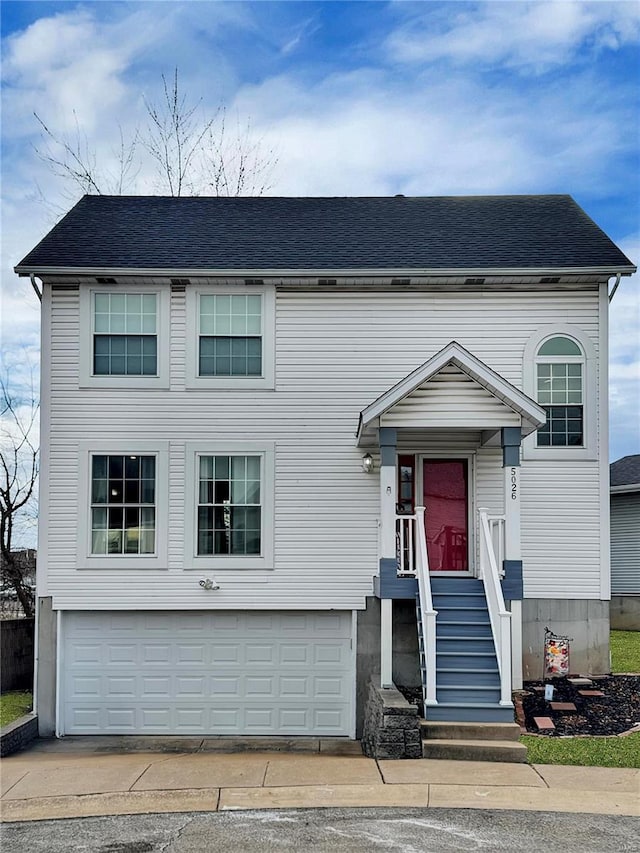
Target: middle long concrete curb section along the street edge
[324, 796]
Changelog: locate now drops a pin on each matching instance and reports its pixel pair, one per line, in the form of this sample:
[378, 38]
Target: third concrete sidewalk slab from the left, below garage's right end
[322, 770]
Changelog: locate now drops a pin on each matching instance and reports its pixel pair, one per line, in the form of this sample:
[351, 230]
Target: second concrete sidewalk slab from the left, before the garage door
[202, 770]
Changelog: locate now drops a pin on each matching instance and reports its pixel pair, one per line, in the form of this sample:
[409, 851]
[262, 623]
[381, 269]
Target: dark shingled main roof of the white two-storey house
[478, 233]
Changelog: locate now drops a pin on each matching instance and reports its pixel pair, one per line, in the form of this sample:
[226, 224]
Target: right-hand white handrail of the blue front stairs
[498, 613]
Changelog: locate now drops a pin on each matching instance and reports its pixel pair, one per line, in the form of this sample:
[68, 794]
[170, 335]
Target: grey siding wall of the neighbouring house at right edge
[625, 544]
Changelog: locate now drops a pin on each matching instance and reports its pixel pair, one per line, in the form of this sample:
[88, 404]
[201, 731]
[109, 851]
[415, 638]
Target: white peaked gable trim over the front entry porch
[532, 415]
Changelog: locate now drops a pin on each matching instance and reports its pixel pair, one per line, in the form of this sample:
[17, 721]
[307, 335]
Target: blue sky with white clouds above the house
[354, 98]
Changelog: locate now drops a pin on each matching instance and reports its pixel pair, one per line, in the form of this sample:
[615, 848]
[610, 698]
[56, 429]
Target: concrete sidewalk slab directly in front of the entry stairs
[442, 772]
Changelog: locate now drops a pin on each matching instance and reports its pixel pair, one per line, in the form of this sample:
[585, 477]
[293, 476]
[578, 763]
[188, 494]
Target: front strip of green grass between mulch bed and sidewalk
[584, 751]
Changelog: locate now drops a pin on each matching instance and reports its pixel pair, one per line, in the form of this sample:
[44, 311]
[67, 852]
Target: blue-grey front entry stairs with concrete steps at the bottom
[468, 721]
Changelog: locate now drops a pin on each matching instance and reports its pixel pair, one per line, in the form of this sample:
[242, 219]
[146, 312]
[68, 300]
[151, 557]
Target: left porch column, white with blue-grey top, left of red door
[388, 442]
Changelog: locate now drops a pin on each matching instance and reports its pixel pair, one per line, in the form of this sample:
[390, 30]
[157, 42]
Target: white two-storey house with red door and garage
[246, 406]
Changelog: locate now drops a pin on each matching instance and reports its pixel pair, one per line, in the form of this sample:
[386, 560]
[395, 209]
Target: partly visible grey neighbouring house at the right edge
[625, 543]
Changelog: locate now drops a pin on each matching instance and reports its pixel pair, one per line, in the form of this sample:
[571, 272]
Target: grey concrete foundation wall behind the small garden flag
[586, 622]
